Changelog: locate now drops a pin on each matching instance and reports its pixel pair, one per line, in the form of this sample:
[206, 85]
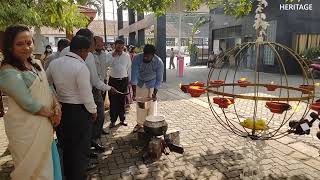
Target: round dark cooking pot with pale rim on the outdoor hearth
[155, 125]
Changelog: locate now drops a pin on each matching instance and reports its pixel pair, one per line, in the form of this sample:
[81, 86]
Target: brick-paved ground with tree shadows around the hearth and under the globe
[211, 152]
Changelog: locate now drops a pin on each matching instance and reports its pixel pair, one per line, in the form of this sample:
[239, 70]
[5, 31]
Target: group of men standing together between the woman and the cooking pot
[78, 73]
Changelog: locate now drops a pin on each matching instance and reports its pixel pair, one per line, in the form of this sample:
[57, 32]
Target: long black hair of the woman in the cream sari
[9, 35]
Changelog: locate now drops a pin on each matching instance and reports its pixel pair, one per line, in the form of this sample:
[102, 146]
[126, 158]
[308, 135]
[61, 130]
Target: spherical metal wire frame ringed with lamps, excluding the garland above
[223, 87]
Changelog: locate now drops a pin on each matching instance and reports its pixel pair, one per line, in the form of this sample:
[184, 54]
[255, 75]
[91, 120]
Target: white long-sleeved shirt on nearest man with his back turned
[71, 77]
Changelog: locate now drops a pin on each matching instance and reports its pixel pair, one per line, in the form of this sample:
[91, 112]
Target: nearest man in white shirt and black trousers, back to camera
[71, 78]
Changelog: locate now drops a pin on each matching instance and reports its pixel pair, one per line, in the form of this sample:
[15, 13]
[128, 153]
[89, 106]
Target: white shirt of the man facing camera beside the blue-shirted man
[120, 66]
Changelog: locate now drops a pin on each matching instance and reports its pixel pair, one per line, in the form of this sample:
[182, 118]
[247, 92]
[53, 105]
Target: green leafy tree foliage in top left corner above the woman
[60, 14]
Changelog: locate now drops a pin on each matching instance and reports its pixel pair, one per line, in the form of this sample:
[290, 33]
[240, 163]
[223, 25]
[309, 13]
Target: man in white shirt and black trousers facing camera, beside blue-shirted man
[120, 72]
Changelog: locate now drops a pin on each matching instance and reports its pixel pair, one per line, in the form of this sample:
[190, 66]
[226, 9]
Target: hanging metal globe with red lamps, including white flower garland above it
[254, 104]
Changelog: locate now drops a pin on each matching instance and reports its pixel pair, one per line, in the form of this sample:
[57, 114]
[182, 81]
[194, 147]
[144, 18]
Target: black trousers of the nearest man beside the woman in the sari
[76, 128]
